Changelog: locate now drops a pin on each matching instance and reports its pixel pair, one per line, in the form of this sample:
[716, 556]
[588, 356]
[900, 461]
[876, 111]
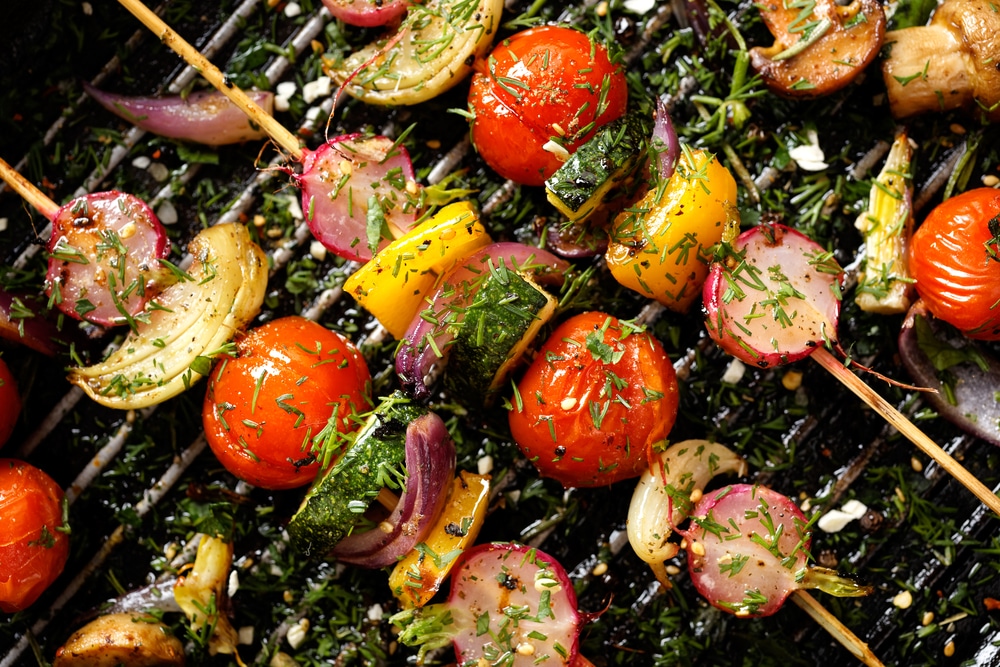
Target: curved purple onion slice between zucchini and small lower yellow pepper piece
[430, 467]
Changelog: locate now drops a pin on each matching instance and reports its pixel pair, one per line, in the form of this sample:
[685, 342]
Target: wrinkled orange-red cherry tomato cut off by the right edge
[955, 259]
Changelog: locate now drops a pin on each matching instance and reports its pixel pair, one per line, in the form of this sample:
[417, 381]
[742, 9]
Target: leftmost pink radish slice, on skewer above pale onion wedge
[103, 254]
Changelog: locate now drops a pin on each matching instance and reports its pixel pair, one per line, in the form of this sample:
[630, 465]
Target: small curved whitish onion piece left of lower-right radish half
[667, 491]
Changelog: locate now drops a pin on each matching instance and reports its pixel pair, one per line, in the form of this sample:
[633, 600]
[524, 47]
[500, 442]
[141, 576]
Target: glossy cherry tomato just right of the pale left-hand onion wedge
[292, 390]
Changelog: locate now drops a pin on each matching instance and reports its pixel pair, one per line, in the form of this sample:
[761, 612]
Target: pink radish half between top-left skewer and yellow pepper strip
[358, 192]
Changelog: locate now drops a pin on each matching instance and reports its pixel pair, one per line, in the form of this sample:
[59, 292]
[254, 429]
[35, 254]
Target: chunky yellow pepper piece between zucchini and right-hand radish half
[660, 247]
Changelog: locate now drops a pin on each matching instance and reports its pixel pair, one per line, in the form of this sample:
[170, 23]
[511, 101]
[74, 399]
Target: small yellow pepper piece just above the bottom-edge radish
[416, 578]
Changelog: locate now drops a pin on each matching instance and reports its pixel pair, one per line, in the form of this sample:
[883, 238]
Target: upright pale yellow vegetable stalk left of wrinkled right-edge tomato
[885, 285]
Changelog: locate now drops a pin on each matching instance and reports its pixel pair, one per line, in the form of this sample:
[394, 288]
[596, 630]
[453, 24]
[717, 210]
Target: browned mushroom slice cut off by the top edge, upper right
[820, 51]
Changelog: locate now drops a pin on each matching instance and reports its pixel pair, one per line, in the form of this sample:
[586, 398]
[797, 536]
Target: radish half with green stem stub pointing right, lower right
[747, 550]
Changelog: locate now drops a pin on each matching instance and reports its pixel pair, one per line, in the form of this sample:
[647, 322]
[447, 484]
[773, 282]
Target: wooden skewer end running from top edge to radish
[281, 136]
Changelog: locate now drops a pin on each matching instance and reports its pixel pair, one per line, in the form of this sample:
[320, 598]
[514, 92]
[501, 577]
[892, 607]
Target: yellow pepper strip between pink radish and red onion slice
[393, 285]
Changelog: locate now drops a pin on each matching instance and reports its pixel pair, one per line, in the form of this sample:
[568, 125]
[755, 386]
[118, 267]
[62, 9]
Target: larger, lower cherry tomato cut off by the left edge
[33, 541]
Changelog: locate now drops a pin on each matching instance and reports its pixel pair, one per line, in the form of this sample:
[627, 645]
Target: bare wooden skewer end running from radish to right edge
[907, 428]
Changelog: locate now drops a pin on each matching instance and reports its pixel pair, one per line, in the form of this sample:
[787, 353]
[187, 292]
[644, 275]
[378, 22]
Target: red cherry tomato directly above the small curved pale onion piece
[597, 396]
